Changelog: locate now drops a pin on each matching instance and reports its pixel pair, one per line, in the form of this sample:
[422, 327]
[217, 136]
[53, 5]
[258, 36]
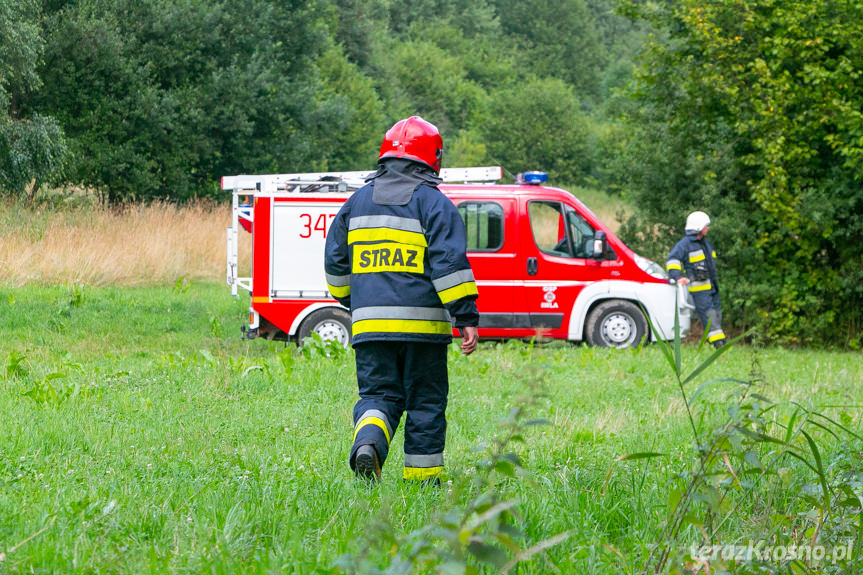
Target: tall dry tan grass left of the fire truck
[133, 244]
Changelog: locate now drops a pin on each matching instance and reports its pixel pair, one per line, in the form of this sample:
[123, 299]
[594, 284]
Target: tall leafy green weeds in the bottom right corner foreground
[741, 458]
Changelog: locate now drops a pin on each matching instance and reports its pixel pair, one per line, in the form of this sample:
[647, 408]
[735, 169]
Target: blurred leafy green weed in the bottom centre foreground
[482, 529]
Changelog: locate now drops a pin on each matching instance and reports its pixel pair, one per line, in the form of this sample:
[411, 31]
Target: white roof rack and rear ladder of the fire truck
[255, 186]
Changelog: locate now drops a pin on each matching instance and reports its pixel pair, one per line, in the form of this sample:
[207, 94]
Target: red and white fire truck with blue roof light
[544, 263]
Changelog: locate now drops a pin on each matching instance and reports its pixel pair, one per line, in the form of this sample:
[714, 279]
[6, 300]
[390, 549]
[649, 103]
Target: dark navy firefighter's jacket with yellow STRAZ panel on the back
[402, 269]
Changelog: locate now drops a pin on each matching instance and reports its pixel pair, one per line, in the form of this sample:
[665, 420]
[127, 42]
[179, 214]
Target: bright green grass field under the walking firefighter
[141, 435]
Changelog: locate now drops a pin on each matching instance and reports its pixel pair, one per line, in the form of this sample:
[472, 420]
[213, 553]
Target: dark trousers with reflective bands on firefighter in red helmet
[399, 376]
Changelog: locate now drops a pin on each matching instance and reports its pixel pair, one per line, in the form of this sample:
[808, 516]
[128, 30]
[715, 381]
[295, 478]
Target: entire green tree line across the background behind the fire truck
[747, 110]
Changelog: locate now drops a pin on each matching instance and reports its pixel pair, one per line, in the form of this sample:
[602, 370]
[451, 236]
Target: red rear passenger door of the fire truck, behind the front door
[493, 253]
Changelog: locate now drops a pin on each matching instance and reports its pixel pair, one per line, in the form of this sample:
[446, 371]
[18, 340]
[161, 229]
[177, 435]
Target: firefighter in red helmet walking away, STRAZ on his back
[396, 256]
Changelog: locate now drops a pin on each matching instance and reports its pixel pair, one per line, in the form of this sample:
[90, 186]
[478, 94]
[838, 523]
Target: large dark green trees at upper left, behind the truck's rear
[158, 98]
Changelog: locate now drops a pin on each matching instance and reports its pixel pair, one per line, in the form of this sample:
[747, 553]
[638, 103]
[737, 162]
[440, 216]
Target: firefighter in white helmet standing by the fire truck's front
[692, 262]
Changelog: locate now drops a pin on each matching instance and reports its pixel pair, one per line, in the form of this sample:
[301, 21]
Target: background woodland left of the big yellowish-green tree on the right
[156, 99]
